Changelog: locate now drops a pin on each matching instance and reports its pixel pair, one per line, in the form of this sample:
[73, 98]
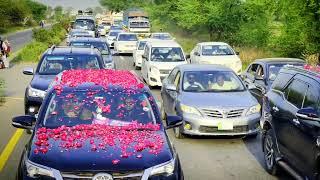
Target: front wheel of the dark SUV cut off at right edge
[270, 153]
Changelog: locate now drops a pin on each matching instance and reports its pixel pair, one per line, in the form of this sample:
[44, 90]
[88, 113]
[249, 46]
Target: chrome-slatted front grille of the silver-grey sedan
[218, 114]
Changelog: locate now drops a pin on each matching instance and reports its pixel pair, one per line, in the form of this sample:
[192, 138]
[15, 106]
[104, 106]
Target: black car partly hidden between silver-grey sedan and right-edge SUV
[260, 74]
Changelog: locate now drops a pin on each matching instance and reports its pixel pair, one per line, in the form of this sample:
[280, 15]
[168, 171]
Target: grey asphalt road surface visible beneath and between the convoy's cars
[202, 158]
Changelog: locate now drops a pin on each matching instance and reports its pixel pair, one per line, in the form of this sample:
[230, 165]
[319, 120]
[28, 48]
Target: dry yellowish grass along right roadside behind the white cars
[188, 41]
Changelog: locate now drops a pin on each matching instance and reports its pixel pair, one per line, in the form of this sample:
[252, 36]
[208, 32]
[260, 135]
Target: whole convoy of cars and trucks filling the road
[206, 93]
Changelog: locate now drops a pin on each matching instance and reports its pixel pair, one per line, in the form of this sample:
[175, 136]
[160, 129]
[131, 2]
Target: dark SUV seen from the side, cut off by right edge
[291, 123]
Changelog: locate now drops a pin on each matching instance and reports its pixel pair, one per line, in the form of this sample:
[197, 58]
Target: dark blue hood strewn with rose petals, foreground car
[134, 154]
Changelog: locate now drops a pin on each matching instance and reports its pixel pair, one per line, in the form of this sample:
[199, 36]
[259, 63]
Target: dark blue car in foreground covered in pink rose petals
[98, 128]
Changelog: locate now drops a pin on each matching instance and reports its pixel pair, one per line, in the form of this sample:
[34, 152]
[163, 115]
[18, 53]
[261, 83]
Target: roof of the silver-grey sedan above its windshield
[203, 67]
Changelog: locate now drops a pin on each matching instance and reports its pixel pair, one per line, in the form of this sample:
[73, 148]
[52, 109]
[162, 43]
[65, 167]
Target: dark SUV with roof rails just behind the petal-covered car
[52, 62]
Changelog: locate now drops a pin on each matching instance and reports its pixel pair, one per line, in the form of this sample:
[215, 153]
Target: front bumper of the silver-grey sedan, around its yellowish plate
[205, 126]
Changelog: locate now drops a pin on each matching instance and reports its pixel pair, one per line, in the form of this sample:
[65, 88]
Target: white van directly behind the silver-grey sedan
[159, 58]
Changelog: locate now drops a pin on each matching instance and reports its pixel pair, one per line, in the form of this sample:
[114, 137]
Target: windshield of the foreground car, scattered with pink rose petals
[110, 107]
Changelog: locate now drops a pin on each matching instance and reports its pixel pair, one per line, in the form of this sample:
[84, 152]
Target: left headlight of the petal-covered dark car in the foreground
[34, 170]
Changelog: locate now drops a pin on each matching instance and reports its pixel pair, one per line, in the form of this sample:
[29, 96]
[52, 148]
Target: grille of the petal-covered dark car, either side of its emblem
[90, 175]
